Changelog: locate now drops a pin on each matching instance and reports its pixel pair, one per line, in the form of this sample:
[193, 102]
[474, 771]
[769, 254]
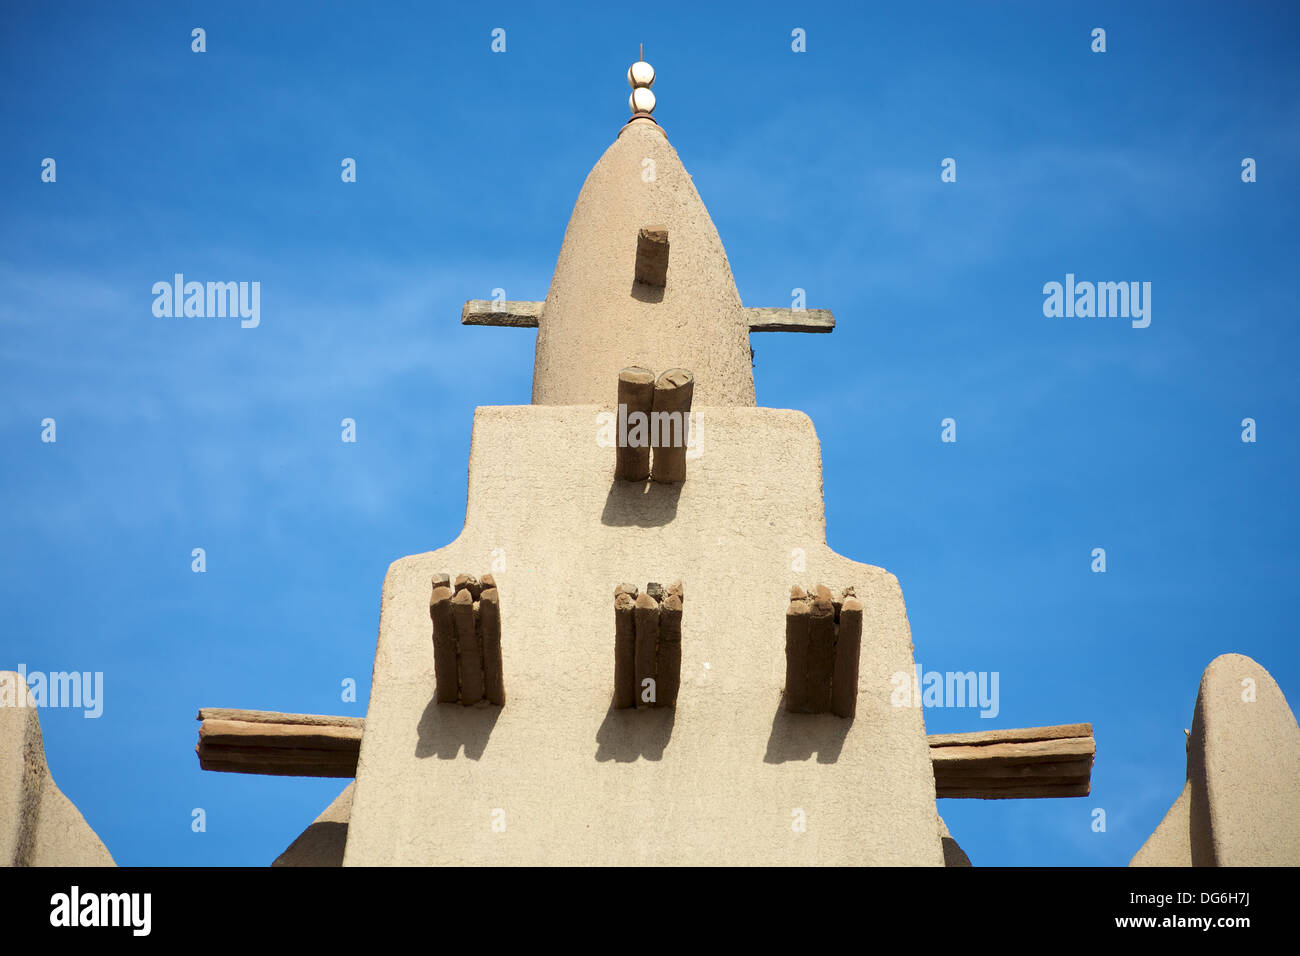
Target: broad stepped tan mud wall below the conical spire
[722, 778]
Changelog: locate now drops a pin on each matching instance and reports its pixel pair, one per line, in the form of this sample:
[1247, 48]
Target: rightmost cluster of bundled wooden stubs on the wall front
[824, 644]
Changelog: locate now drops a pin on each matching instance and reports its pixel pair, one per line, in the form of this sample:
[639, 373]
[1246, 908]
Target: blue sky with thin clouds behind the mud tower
[822, 171]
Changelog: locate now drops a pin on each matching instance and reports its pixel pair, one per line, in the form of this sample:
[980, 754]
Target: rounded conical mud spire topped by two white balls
[597, 319]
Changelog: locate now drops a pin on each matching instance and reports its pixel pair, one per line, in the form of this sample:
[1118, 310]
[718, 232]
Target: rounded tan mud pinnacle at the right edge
[1241, 806]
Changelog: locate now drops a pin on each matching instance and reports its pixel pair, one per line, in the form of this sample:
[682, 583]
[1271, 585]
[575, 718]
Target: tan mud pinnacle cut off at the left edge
[40, 827]
